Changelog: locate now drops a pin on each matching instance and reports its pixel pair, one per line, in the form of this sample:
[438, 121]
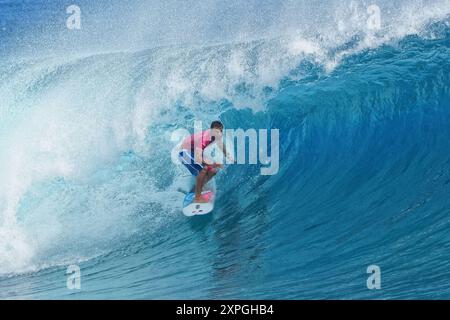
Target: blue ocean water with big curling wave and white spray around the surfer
[85, 171]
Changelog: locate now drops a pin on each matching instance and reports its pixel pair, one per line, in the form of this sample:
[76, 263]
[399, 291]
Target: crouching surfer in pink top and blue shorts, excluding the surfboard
[191, 156]
